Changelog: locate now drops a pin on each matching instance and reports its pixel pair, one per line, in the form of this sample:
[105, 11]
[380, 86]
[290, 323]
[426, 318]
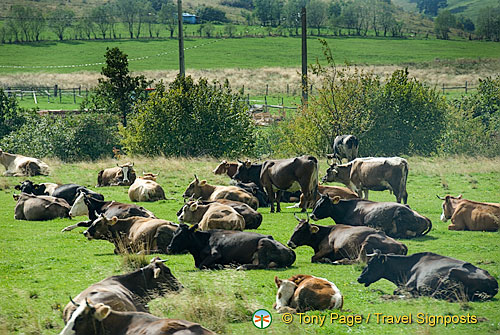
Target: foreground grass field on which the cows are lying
[40, 266]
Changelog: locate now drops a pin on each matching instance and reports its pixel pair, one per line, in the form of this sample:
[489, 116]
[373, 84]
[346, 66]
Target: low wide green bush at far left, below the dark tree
[79, 137]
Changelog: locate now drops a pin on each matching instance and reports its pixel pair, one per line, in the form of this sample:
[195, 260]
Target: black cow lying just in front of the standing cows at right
[396, 220]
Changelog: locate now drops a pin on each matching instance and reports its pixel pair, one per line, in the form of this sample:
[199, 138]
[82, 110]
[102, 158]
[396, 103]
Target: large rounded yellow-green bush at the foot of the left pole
[190, 119]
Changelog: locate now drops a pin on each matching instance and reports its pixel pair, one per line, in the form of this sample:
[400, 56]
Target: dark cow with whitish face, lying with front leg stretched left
[87, 205]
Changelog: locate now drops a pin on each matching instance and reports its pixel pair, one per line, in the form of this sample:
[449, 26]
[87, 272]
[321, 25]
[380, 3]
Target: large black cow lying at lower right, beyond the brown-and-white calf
[430, 274]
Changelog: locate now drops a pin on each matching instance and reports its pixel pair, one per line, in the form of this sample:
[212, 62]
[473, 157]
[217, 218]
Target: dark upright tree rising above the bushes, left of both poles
[119, 91]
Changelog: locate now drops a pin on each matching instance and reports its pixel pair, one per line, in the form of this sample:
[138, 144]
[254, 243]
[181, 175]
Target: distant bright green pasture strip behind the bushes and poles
[250, 53]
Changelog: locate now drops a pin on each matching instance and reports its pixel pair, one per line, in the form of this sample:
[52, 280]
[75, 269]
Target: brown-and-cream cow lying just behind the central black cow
[211, 216]
